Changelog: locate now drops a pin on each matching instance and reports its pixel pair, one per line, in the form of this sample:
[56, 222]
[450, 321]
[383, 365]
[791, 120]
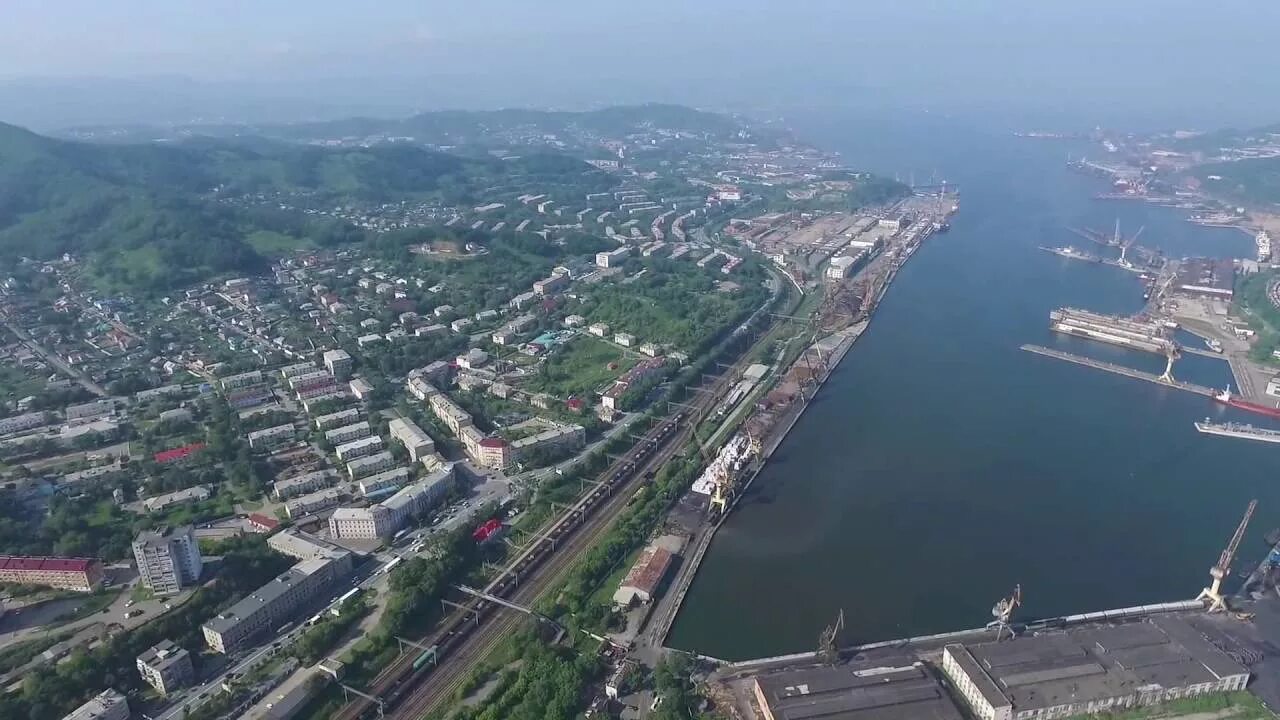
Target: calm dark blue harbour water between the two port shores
[941, 464]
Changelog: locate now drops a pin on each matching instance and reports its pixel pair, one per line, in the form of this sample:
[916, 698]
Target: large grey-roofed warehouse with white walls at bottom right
[1091, 669]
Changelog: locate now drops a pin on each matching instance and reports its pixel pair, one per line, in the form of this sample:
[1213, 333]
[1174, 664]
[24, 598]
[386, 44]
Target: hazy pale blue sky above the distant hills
[1073, 61]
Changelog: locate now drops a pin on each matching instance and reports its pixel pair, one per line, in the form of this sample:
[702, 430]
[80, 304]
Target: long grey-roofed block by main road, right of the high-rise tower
[272, 605]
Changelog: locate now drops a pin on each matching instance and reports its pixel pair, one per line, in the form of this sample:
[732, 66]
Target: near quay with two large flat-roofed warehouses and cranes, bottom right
[1215, 645]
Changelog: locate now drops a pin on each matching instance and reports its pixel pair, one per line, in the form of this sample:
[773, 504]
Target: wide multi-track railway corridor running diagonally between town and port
[469, 636]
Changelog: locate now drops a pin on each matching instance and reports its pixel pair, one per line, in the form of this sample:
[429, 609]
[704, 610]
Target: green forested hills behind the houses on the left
[145, 216]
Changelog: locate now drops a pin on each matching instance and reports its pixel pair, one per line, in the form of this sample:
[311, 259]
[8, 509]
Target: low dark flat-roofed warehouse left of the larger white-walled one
[906, 692]
